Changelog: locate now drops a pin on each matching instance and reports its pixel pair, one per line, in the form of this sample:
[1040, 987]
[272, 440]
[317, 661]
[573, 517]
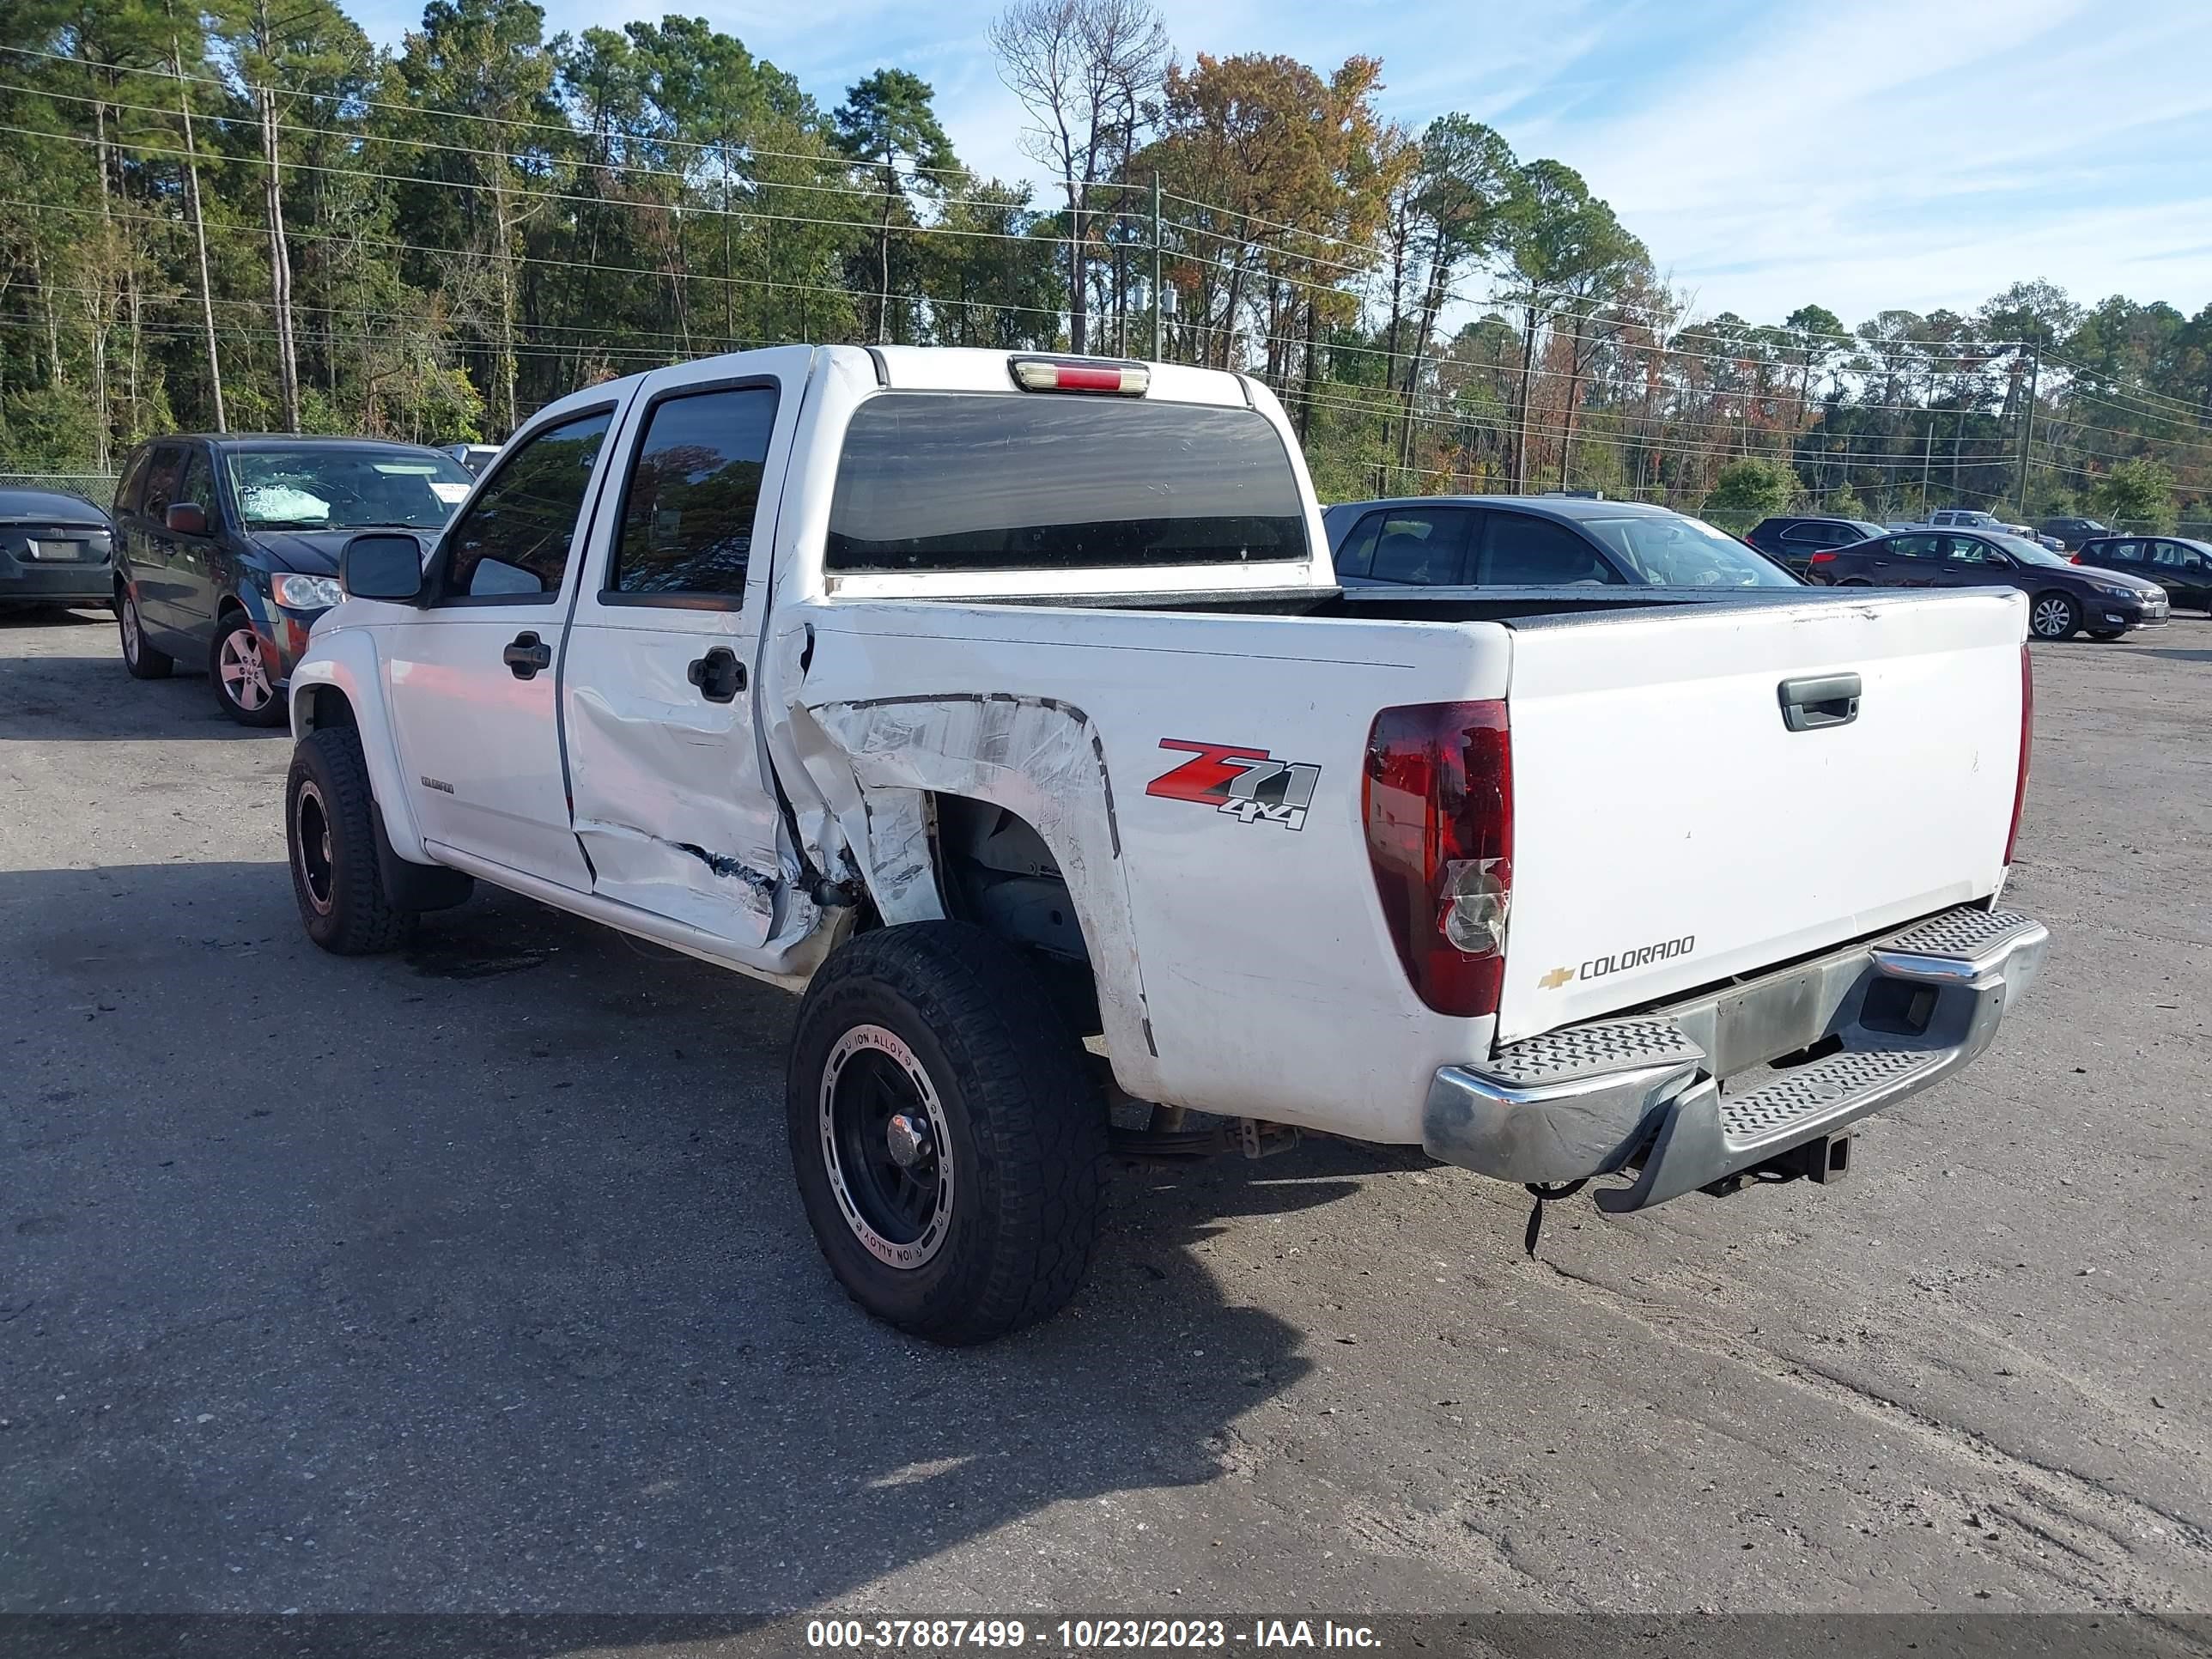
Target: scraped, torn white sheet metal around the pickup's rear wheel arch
[1039, 758]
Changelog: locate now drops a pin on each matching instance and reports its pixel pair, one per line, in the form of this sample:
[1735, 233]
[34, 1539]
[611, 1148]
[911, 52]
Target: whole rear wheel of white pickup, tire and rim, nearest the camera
[948, 1136]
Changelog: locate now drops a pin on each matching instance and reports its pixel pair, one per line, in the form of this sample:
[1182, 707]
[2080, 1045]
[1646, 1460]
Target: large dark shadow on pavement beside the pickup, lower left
[474, 1280]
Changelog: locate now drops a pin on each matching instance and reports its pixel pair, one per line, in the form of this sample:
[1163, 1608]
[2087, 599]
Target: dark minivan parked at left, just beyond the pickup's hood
[229, 550]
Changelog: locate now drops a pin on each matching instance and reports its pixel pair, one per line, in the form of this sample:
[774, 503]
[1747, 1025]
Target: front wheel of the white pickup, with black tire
[353, 915]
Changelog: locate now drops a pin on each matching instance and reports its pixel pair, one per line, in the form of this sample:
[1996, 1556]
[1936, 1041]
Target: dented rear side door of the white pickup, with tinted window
[667, 771]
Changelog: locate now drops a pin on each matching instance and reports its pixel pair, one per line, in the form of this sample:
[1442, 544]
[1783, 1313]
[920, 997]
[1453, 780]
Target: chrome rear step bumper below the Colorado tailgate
[1649, 1094]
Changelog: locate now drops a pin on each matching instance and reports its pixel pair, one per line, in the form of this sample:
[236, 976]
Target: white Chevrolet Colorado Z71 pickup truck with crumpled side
[1010, 711]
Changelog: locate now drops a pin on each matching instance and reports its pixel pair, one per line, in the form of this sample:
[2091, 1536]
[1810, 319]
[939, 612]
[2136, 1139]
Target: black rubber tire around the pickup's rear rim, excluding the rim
[1023, 1116]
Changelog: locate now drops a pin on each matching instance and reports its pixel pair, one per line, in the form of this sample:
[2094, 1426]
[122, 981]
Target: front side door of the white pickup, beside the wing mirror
[472, 676]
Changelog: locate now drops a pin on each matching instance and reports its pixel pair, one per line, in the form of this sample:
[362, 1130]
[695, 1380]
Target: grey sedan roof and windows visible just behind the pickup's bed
[1536, 541]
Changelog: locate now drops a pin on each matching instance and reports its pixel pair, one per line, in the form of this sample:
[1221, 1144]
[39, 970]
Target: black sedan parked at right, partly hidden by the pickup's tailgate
[2063, 596]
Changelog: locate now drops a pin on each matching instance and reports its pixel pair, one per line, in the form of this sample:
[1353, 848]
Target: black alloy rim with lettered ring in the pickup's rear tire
[888, 1147]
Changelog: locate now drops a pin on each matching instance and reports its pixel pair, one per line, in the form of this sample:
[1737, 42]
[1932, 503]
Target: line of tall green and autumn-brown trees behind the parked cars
[249, 218]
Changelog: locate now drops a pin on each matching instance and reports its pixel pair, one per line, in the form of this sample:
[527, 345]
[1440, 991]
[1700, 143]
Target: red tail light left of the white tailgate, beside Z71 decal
[1439, 802]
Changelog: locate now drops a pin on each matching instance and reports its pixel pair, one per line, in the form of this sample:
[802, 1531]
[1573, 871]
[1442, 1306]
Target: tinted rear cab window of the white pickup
[974, 481]
